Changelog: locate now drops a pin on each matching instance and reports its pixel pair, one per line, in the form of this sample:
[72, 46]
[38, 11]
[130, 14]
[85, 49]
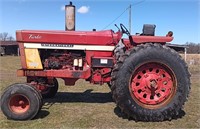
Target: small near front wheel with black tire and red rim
[20, 102]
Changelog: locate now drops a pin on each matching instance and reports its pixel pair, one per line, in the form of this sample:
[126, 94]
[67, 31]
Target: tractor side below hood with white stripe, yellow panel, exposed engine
[91, 62]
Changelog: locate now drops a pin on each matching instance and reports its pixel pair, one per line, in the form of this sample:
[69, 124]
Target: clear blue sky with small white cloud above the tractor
[180, 16]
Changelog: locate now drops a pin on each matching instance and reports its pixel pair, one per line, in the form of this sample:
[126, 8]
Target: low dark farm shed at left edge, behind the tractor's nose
[9, 48]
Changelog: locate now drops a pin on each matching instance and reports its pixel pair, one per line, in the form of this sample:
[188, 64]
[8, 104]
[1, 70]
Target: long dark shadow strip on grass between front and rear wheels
[74, 97]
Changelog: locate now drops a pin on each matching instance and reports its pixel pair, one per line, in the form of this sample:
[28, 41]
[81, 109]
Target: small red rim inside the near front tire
[19, 104]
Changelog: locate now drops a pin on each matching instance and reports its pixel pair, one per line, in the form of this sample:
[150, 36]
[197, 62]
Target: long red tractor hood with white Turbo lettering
[107, 37]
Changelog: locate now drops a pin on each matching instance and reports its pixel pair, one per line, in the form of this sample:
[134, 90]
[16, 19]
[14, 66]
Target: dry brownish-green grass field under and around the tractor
[91, 106]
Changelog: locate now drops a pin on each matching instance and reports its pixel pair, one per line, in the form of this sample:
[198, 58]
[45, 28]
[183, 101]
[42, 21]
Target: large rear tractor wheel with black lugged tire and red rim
[152, 83]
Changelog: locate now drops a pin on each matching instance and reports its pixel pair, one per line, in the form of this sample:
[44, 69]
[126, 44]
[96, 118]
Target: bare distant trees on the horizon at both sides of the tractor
[193, 48]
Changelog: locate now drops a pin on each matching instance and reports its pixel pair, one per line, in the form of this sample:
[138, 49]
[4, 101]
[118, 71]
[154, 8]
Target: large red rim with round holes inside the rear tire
[152, 85]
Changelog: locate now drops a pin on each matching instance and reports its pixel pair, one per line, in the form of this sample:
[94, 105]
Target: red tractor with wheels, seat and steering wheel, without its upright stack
[148, 80]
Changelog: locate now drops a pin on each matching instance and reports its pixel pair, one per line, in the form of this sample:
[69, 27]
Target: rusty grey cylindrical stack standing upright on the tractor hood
[70, 17]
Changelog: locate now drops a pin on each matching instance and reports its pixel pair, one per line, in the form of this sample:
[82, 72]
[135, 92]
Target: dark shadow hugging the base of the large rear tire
[119, 113]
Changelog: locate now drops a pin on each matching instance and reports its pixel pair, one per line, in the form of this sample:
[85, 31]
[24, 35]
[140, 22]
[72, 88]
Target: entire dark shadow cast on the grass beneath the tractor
[88, 97]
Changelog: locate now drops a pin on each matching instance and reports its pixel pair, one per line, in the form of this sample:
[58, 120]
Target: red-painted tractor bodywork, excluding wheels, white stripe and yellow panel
[55, 60]
